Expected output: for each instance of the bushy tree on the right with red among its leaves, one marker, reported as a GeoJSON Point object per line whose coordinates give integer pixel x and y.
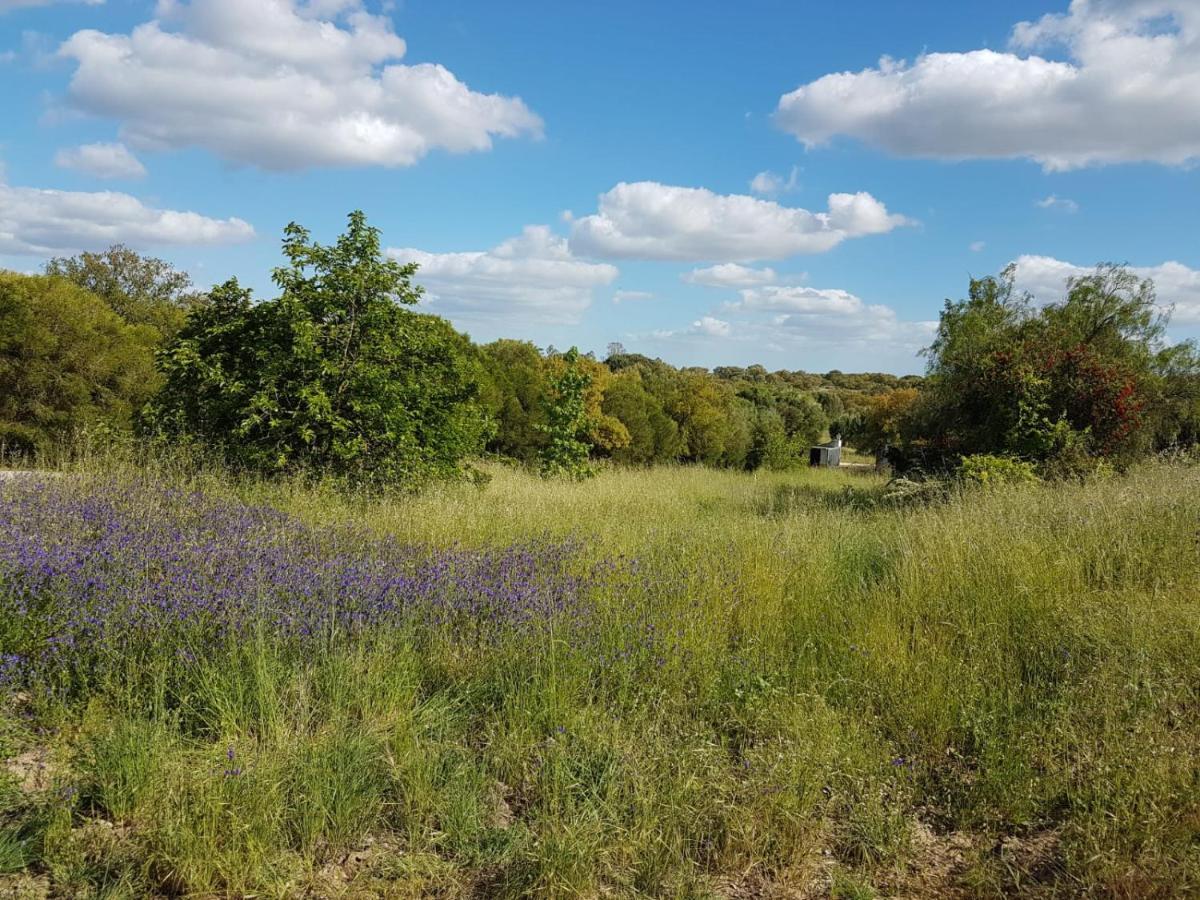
{"type": "Point", "coordinates": [1084, 379]}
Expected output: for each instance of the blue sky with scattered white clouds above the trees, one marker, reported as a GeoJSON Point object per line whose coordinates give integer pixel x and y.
{"type": "Point", "coordinates": [795, 184]}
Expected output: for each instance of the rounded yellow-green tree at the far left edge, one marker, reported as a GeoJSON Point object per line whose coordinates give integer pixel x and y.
{"type": "Point", "coordinates": [68, 364]}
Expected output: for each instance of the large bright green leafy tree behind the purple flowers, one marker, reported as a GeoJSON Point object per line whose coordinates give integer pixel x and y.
{"type": "Point", "coordinates": [334, 376]}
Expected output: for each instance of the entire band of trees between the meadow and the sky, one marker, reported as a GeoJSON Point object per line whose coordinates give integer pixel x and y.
{"type": "Point", "coordinates": [340, 376]}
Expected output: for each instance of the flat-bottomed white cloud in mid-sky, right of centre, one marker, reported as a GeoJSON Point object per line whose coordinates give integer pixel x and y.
{"type": "Point", "coordinates": [647, 220]}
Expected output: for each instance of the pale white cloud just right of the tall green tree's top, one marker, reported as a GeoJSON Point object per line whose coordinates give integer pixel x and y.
{"type": "Point", "coordinates": [530, 278]}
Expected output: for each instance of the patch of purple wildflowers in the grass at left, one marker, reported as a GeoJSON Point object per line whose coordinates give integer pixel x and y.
{"type": "Point", "coordinates": [91, 567]}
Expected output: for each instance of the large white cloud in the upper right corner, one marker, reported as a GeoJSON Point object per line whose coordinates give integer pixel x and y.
{"type": "Point", "coordinates": [1124, 94]}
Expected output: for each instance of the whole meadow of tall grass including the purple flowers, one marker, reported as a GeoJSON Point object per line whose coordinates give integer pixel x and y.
{"type": "Point", "coordinates": [667, 683]}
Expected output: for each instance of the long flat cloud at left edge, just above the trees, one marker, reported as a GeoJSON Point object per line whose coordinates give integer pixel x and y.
{"type": "Point", "coordinates": [41, 223]}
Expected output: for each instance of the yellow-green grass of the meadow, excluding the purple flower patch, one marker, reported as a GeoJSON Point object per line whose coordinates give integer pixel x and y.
{"type": "Point", "coordinates": [836, 691]}
